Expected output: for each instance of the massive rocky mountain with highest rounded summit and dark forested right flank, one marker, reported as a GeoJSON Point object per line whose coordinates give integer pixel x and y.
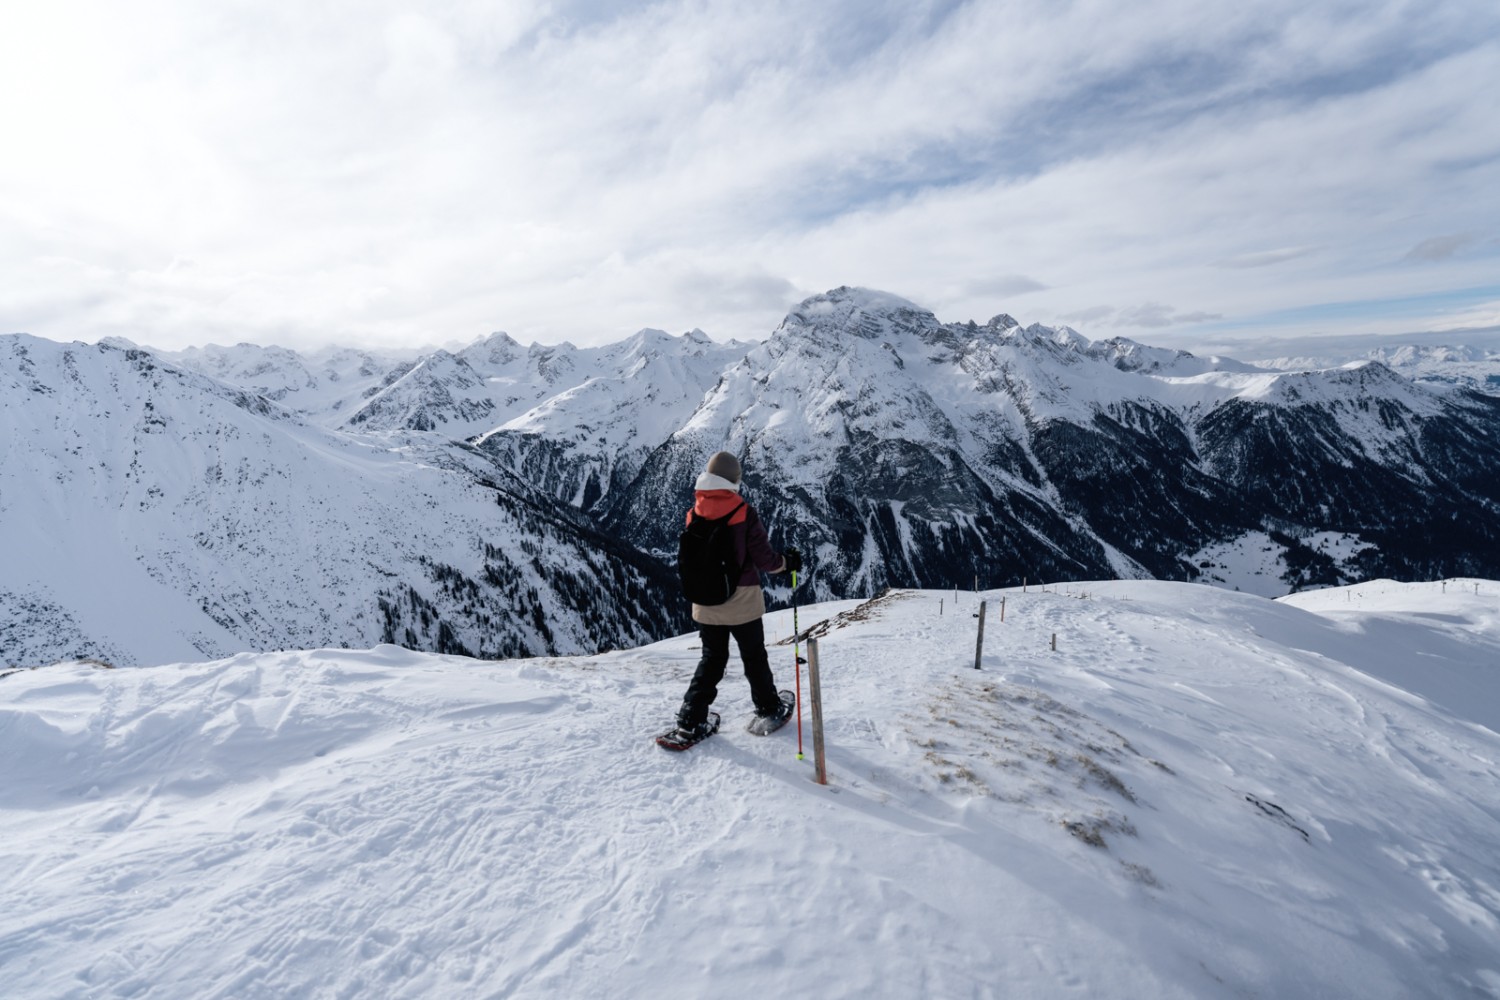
{"type": "Point", "coordinates": [898, 449]}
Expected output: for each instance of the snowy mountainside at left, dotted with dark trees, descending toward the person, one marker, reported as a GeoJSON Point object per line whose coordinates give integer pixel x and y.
{"type": "Point", "coordinates": [152, 513]}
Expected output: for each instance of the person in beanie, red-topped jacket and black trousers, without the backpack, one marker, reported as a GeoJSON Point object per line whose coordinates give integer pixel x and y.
{"type": "Point", "coordinates": [716, 496]}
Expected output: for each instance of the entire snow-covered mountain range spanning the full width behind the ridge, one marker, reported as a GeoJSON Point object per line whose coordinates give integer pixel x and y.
{"type": "Point", "coordinates": [503, 499]}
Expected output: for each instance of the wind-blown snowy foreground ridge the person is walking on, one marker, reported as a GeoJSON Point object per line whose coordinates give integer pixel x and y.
{"type": "Point", "coordinates": [1201, 794]}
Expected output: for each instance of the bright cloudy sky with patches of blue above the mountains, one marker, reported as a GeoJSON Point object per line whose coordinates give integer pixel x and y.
{"type": "Point", "coordinates": [313, 172]}
